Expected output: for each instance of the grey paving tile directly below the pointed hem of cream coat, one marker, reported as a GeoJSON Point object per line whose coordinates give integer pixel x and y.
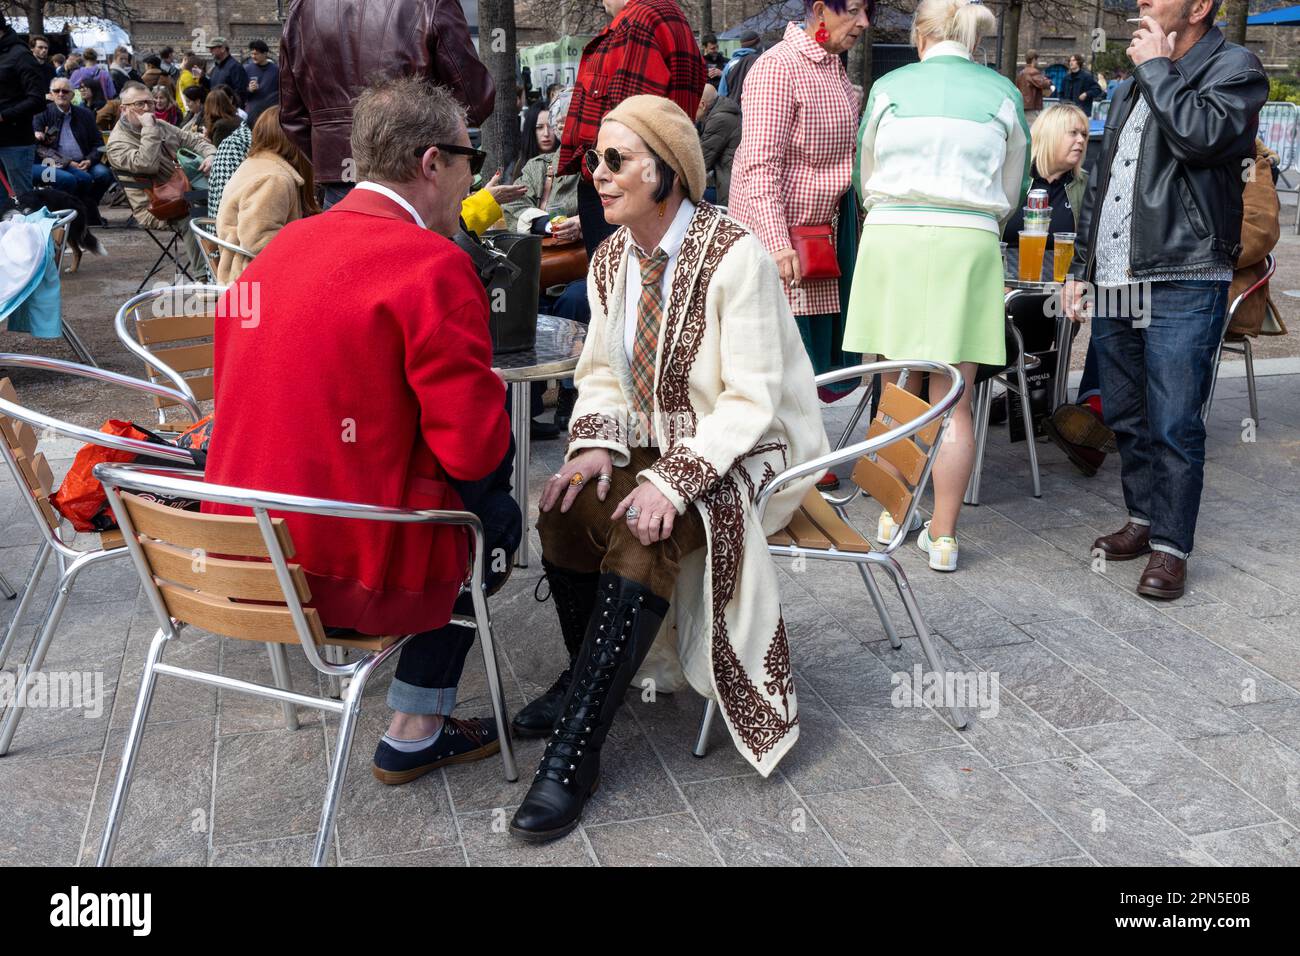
{"type": "Point", "coordinates": [757, 823]}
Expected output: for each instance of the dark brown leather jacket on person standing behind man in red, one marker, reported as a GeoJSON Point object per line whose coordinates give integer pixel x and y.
{"type": "Point", "coordinates": [332, 49]}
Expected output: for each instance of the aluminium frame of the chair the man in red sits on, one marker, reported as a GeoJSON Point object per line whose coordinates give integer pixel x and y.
{"type": "Point", "coordinates": [124, 478]}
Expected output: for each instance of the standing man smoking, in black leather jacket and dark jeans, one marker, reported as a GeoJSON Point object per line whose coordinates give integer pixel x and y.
{"type": "Point", "coordinates": [1159, 237]}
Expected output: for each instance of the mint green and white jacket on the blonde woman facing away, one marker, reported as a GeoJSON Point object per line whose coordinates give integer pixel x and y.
{"type": "Point", "coordinates": [943, 142]}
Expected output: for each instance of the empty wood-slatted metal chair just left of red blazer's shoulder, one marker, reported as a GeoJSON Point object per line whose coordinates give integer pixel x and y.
{"type": "Point", "coordinates": [171, 331]}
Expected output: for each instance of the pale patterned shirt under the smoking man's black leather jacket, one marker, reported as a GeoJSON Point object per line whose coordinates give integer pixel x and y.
{"type": "Point", "coordinates": [1113, 232]}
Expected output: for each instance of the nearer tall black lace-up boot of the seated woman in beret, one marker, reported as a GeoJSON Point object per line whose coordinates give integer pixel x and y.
{"type": "Point", "coordinates": [623, 628]}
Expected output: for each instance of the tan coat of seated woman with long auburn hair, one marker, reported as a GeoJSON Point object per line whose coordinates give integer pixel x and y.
{"type": "Point", "coordinates": [263, 197]}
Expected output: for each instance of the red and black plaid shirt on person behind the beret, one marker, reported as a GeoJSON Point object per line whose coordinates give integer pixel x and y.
{"type": "Point", "coordinates": [648, 49]}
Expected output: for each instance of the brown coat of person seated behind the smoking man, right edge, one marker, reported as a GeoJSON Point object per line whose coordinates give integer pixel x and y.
{"type": "Point", "coordinates": [1260, 232]}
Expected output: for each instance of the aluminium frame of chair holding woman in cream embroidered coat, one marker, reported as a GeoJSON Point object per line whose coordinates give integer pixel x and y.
{"type": "Point", "coordinates": [941, 412]}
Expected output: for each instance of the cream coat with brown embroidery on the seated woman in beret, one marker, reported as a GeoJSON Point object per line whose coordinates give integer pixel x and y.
{"type": "Point", "coordinates": [735, 406]}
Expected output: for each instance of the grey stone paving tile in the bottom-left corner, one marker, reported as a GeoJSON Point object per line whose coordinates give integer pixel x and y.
{"type": "Point", "coordinates": [46, 802]}
